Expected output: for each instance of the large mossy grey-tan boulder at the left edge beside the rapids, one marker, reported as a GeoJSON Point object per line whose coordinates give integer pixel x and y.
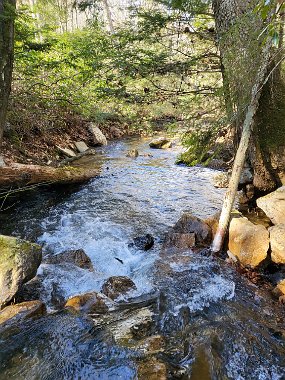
{"type": "Point", "coordinates": [19, 261]}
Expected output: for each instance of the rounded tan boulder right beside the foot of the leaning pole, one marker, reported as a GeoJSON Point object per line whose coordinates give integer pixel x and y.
{"type": "Point", "coordinates": [248, 242]}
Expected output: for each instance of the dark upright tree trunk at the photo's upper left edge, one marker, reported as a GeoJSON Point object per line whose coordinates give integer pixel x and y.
{"type": "Point", "coordinates": [7, 16]}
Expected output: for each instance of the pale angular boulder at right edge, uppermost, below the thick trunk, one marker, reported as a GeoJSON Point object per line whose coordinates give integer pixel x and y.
{"type": "Point", "coordinates": [273, 205]}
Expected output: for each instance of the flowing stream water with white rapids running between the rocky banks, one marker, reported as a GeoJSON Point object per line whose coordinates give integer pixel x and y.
{"type": "Point", "coordinates": [214, 324]}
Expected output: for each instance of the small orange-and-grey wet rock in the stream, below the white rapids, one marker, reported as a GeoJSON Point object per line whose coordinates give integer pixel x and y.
{"type": "Point", "coordinates": [92, 302]}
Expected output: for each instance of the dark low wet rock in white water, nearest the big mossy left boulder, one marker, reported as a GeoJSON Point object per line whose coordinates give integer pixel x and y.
{"type": "Point", "coordinates": [76, 257]}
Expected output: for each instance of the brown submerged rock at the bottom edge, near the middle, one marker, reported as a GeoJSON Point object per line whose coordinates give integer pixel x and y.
{"type": "Point", "coordinates": [152, 369]}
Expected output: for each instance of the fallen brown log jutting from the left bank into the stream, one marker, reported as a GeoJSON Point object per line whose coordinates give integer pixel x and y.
{"type": "Point", "coordinates": [21, 175]}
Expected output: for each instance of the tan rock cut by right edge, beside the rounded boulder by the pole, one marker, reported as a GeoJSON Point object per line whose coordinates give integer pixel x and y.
{"type": "Point", "coordinates": [277, 243]}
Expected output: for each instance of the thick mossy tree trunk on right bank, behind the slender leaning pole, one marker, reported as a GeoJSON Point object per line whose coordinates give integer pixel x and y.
{"type": "Point", "coordinates": [240, 36]}
